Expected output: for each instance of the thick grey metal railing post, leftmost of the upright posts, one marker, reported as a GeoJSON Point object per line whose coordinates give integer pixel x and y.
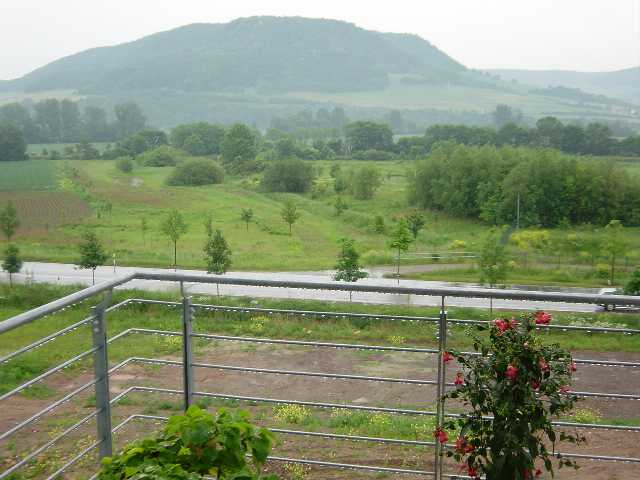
{"type": "Point", "coordinates": [101, 373]}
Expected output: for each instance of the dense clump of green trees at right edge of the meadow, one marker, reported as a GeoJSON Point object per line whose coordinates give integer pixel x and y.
{"type": "Point", "coordinates": [502, 185]}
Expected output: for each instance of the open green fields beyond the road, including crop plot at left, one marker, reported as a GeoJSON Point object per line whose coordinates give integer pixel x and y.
{"type": "Point", "coordinates": [56, 210]}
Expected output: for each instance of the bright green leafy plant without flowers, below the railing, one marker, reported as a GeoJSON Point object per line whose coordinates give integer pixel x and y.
{"type": "Point", "coordinates": [194, 445]}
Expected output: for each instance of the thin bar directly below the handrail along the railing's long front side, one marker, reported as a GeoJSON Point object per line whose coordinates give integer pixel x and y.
{"type": "Point", "coordinates": [409, 318]}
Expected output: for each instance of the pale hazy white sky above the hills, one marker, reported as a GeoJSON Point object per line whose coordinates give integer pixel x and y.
{"type": "Point", "coordinates": [587, 35]}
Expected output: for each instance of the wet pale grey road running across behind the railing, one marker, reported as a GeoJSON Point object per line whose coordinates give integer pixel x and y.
{"type": "Point", "coordinates": [66, 274]}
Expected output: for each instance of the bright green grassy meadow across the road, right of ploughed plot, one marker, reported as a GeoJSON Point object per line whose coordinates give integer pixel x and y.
{"type": "Point", "coordinates": [267, 246]}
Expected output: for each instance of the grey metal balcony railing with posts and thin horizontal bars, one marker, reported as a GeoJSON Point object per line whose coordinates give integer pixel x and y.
{"type": "Point", "coordinates": [102, 371]}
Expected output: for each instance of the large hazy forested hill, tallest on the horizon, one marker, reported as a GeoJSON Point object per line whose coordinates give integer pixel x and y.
{"type": "Point", "coordinates": [268, 54]}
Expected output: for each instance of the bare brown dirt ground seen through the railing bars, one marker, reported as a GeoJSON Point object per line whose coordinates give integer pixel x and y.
{"type": "Point", "coordinates": [338, 391]}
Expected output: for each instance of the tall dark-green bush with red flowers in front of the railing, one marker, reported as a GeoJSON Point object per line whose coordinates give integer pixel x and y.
{"type": "Point", "coordinates": [513, 389]}
